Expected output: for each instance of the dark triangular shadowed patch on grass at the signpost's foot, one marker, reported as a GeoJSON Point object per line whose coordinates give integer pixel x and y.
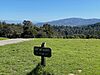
{"type": "Point", "coordinates": [39, 70]}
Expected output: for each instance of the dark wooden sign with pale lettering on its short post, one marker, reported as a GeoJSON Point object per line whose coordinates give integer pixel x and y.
{"type": "Point", "coordinates": [43, 52]}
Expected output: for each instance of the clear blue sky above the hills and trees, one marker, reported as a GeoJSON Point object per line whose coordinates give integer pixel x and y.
{"type": "Point", "coordinates": [48, 10]}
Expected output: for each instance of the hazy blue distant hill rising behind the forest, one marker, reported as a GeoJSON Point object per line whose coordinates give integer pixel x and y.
{"type": "Point", "coordinates": [72, 22]}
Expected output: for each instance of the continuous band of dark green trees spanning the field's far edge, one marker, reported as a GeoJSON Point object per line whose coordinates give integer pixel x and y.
{"type": "Point", "coordinates": [29, 30]}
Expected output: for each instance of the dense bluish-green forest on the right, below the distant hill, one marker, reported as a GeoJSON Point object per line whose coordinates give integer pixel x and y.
{"type": "Point", "coordinates": [90, 31]}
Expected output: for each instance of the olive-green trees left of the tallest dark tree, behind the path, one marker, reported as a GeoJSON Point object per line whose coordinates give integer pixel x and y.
{"type": "Point", "coordinates": [10, 30]}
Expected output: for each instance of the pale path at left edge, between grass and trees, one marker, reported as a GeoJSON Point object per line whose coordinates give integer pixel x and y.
{"type": "Point", "coordinates": [12, 41]}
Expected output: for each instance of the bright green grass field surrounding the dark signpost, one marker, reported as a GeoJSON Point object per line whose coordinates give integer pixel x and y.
{"type": "Point", "coordinates": [68, 56]}
